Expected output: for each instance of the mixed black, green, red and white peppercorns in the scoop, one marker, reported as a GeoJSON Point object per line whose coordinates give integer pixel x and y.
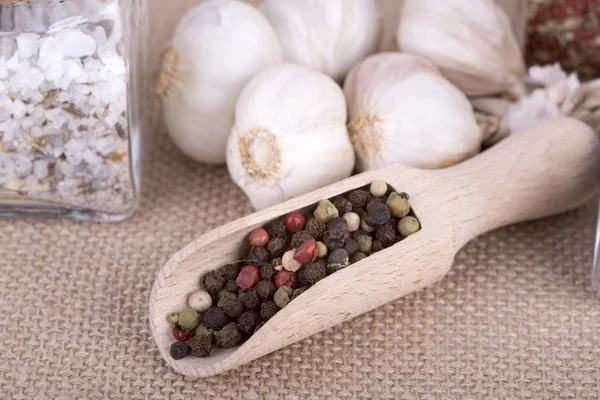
{"type": "Point", "coordinates": [286, 259]}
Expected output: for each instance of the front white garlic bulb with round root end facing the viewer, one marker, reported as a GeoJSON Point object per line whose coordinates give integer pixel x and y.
{"type": "Point", "coordinates": [289, 135]}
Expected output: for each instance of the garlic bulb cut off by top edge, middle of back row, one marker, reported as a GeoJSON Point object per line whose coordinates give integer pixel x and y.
{"type": "Point", "coordinates": [327, 36]}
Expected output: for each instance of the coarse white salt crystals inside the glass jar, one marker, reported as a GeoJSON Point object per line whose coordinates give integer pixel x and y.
{"type": "Point", "coordinates": [64, 133]}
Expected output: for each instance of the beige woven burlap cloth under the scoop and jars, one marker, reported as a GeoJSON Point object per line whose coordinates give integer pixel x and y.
{"type": "Point", "coordinates": [514, 319]}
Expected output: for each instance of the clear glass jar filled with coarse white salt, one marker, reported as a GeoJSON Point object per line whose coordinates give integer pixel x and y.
{"type": "Point", "coordinates": [70, 92]}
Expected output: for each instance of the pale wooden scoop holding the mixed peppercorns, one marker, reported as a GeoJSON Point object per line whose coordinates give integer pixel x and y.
{"type": "Point", "coordinates": [549, 169]}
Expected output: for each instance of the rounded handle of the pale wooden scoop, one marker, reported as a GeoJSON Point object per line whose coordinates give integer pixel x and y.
{"type": "Point", "coordinates": [550, 168]}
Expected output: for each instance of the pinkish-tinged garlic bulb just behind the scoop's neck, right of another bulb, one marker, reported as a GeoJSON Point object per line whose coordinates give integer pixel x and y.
{"type": "Point", "coordinates": [403, 110]}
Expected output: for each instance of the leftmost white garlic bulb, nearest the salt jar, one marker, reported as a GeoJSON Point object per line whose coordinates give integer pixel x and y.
{"type": "Point", "coordinates": [217, 48]}
